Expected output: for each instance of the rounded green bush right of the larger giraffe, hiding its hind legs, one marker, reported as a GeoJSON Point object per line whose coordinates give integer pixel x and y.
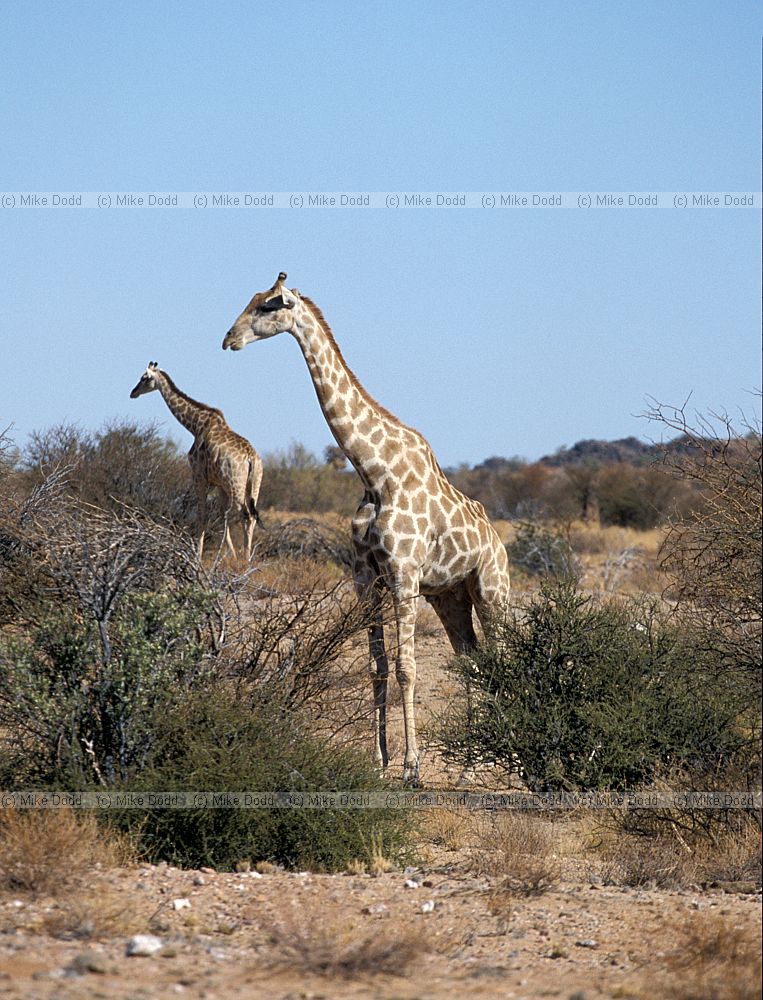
{"type": "Point", "coordinates": [584, 695]}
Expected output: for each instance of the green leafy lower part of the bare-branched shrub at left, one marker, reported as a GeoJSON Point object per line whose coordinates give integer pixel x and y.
{"type": "Point", "coordinates": [69, 714]}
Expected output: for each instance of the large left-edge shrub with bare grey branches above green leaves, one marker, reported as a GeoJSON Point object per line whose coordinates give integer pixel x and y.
{"type": "Point", "coordinates": [112, 617]}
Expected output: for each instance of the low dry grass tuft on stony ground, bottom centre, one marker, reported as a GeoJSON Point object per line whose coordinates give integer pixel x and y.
{"type": "Point", "coordinates": [309, 943]}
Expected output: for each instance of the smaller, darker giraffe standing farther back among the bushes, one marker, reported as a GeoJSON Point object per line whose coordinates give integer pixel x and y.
{"type": "Point", "coordinates": [218, 457]}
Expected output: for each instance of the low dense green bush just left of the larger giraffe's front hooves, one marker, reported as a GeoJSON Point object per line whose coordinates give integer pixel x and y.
{"type": "Point", "coordinates": [217, 740]}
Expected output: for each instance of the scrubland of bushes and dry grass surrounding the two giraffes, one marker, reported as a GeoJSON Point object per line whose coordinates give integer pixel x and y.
{"type": "Point", "coordinates": [631, 658]}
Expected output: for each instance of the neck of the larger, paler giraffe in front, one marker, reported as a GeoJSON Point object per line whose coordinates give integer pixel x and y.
{"type": "Point", "coordinates": [360, 425]}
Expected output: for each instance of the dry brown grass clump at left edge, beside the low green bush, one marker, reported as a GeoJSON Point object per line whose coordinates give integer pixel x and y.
{"type": "Point", "coordinates": [49, 851]}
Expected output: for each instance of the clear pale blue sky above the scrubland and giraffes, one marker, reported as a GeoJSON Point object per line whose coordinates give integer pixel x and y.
{"type": "Point", "coordinates": [492, 332]}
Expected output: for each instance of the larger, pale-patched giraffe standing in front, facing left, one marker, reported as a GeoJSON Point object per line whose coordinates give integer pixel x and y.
{"type": "Point", "coordinates": [414, 532]}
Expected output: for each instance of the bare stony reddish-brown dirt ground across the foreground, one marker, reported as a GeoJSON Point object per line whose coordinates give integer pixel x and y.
{"type": "Point", "coordinates": [306, 935]}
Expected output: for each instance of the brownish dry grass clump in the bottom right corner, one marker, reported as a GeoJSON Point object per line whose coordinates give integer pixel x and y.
{"type": "Point", "coordinates": [714, 960]}
